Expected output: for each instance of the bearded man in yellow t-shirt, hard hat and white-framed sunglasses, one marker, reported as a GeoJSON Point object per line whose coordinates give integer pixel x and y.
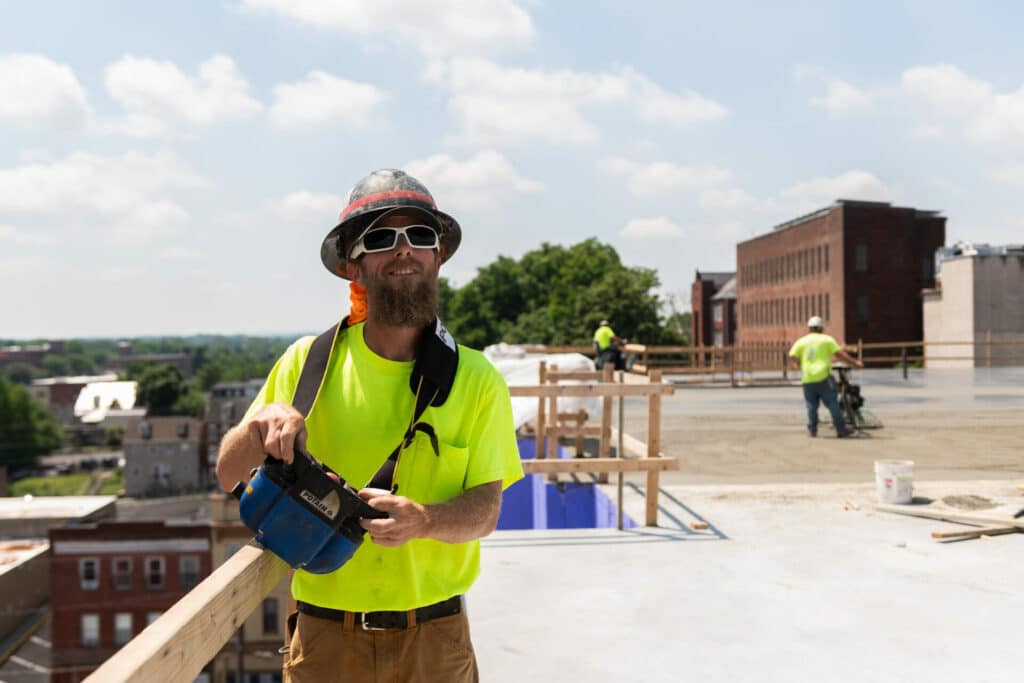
{"type": "Point", "coordinates": [396, 611]}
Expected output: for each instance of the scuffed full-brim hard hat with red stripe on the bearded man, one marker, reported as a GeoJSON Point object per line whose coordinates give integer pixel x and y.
{"type": "Point", "coordinates": [380, 194]}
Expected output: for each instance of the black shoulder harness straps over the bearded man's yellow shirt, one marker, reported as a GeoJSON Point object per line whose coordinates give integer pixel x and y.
{"type": "Point", "coordinates": [432, 381]}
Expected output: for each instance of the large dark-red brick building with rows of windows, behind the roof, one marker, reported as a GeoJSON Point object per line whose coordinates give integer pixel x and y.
{"type": "Point", "coordinates": [861, 266]}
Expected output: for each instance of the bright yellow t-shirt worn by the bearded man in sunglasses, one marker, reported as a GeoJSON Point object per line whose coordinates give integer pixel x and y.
{"type": "Point", "coordinates": [361, 415]}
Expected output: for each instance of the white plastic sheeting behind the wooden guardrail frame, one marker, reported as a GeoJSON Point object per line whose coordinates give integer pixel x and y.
{"type": "Point", "coordinates": [523, 369]}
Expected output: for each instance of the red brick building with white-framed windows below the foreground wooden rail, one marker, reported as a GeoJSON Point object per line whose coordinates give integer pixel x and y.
{"type": "Point", "coordinates": [109, 581]}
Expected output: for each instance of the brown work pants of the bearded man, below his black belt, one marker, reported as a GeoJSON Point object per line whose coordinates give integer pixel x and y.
{"type": "Point", "coordinates": [327, 652]}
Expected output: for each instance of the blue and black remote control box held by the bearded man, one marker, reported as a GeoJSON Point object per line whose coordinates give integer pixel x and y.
{"type": "Point", "coordinates": [306, 518]}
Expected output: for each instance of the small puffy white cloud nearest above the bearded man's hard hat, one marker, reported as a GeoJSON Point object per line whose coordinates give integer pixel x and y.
{"type": "Point", "coordinates": [322, 99]}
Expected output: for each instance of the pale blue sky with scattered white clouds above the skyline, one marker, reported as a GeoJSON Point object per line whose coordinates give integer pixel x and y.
{"type": "Point", "coordinates": [173, 167]}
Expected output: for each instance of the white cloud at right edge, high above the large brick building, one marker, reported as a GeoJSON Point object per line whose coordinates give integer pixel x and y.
{"type": "Point", "coordinates": [986, 115]}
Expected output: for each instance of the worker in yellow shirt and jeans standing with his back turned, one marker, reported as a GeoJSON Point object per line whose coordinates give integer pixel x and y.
{"type": "Point", "coordinates": [815, 352]}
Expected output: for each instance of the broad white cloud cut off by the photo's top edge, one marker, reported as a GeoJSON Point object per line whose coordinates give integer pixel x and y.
{"type": "Point", "coordinates": [436, 29]}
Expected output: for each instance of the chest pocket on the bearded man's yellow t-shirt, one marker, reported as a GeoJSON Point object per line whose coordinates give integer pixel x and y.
{"type": "Point", "coordinates": [426, 477]}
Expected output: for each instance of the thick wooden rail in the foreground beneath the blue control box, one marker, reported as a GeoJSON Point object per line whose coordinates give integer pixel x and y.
{"type": "Point", "coordinates": [178, 646]}
